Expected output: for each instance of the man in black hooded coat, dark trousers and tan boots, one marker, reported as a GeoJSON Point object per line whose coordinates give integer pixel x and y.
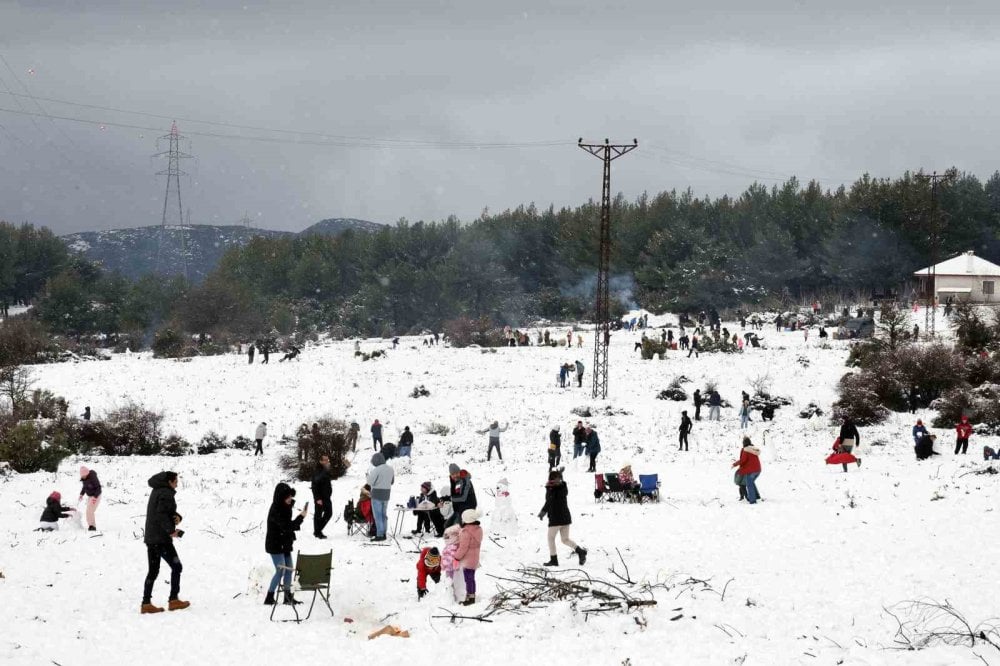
{"type": "Point", "coordinates": [161, 529]}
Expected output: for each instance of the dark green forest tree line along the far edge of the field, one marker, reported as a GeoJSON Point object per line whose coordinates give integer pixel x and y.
{"type": "Point", "coordinates": [671, 251]}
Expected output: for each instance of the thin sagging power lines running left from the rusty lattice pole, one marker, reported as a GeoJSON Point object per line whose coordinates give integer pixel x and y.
{"type": "Point", "coordinates": [329, 138]}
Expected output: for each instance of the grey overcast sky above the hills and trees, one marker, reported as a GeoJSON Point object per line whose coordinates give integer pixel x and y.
{"type": "Point", "coordinates": [372, 96]}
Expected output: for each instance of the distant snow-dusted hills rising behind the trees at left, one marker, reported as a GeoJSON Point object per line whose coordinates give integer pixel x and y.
{"type": "Point", "coordinates": [195, 249]}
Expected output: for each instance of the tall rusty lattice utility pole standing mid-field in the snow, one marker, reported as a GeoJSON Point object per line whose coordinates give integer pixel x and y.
{"type": "Point", "coordinates": [607, 152]}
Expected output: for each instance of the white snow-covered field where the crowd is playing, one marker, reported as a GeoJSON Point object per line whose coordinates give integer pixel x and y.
{"type": "Point", "coordinates": [806, 573]}
